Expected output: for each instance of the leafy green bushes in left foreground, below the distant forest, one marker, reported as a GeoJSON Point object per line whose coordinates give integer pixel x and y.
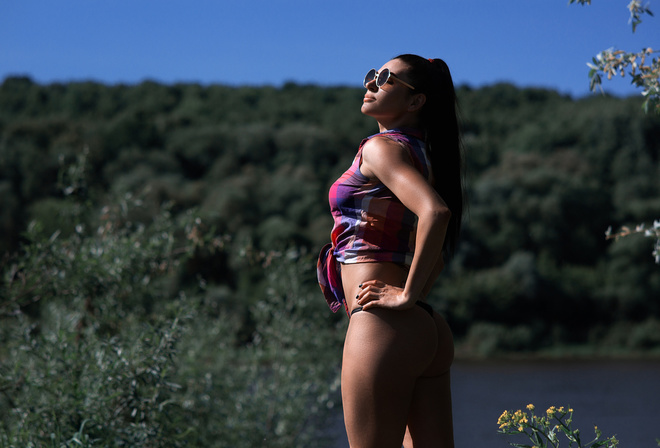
{"type": "Point", "coordinates": [102, 344]}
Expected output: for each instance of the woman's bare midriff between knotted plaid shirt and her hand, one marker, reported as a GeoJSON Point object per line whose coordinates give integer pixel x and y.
{"type": "Point", "coordinates": [352, 275]}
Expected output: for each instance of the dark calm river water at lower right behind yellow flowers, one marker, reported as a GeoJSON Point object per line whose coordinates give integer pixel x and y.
{"type": "Point", "coordinates": [622, 398]}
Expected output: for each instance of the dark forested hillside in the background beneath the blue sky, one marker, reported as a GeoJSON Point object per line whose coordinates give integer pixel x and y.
{"type": "Point", "coordinates": [546, 176]}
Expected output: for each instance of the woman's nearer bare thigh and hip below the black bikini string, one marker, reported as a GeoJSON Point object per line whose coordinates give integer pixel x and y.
{"type": "Point", "coordinates": [384, 353]}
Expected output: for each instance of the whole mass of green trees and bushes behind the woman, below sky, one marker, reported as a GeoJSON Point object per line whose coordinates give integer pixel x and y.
{"type": "Point", "coordinates": [159, 245]}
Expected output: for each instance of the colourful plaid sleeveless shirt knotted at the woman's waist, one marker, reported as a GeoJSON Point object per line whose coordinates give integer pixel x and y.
{"type": "Point", "coordinates": [370, 223]}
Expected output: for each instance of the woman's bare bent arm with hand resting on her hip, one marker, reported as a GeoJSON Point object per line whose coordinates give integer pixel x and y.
{"type": "Point", "coordinates": [390, 163]}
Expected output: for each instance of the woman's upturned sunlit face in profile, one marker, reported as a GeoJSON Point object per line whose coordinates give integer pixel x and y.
{"type": "Point", "coordinates": [391, 101]}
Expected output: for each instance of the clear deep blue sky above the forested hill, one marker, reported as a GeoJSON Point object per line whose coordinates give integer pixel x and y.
{"type": "Point", "coordinates": [543, 43]}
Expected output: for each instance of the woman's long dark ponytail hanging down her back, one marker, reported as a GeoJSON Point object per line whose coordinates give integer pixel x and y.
{"type": "Point", "coordinates": [439, 120]}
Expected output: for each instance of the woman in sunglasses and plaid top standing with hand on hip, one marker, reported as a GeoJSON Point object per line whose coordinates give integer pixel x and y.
{"type": "Point", "coordinates": [396, 210]}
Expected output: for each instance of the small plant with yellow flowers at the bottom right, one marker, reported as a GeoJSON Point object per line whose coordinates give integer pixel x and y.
{"type": "Point", "coordinates": [544, 430]}
